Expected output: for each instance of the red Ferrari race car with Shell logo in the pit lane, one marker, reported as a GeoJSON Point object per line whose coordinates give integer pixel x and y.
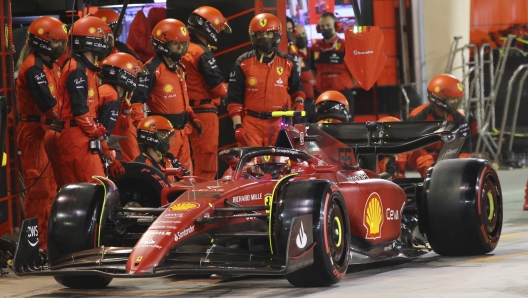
{"type": "Point", "coordinates": [303, 209]}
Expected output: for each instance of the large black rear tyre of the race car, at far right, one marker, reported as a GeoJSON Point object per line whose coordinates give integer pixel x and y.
{"type": "Point", "coordinates": [463, 207]}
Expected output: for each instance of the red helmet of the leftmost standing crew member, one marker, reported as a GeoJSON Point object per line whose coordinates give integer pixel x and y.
{"type": "Point", "coordinates": [43, 32]}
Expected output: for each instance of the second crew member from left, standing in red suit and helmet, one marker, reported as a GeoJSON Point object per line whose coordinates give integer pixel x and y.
{"type": "Point", "coordinates": [82, 142]}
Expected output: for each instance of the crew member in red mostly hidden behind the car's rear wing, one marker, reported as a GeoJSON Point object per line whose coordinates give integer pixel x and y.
{"type": "Point", "coordinates": [445, 93]}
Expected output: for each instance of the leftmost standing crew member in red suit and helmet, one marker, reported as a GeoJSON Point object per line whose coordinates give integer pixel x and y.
{"type": "Point", "coordinates": [37, 98]}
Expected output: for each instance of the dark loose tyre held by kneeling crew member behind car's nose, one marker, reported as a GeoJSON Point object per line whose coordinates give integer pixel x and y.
{"type": "Point", "coordinates": [140, 186]}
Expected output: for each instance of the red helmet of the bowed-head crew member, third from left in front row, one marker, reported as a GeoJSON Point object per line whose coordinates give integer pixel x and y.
{"type": "Point", "coordinates": [121, 68]}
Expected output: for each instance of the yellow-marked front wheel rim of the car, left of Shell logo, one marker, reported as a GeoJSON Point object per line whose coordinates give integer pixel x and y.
{"type": "Point", "coordinates": [335, 227]}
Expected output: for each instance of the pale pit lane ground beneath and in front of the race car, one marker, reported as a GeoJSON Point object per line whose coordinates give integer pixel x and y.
{"type": "Point", "coordinates": [504, 273]}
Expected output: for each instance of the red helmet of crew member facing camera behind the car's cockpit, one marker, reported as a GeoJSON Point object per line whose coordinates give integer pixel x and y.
{"type": "Point", "coordinates": [265, 22]}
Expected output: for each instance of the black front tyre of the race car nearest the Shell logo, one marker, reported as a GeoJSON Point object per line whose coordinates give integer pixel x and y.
{"type": "Point", "coordinates": [331, 230]}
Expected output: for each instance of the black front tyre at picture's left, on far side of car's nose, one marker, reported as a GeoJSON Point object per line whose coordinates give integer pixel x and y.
{"type": "Point", "coordinates": [73, 227]}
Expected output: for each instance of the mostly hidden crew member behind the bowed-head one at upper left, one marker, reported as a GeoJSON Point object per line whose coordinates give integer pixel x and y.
{"type": "Point", "coordinates": [124, 127]}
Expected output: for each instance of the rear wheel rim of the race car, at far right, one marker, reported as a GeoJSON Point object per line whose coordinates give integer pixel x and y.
{"type": "Point", "coordinates": [490, 206]}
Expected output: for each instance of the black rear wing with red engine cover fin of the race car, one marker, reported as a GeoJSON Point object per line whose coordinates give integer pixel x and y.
{"type": "Point", "coordinates": [342, 143]}
